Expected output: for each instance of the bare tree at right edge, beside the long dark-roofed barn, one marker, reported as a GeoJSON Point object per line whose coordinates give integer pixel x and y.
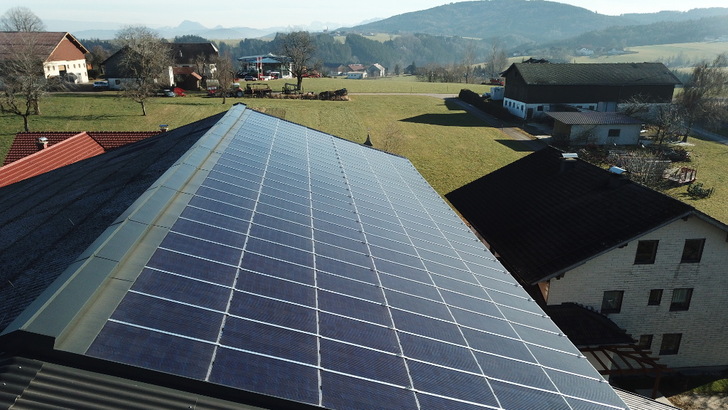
{"type": "Point", "coordinates": [703, 97]}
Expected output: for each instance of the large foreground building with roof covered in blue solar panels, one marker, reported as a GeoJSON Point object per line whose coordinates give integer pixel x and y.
{"type": "Point", "coordinates": [243, 261]}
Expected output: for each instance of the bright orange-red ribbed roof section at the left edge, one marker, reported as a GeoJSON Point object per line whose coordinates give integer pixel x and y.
{"type": "Point", "coordinates": [68, 151]}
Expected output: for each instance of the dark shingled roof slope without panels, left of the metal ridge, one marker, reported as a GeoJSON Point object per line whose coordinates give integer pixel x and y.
{"type": "Point", "coordinates": [51, 218]}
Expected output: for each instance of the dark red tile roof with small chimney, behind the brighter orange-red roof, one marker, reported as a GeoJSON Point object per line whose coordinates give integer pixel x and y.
{"type": "Point", "coordinates": [26, 143]}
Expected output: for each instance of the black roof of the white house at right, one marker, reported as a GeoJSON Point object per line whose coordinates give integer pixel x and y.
{"type": "Point", "coordinates": [543, 218]}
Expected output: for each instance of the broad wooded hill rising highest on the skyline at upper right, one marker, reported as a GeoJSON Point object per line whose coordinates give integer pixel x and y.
{"type": "Point", "coordinates": [518, 21]}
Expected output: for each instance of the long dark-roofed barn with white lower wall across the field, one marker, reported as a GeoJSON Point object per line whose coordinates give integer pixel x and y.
{"type": "Point", "coordinates": [533, 89]}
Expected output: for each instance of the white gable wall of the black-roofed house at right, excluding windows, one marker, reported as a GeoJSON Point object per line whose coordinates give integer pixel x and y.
{"type": "Point", "coordinates": [703, 326]}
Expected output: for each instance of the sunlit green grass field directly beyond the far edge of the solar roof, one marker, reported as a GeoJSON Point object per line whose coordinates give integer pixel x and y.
{"type": "Point", "coordinates": [448, 146]}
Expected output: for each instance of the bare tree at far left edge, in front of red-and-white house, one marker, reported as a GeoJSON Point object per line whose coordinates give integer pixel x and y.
{"type": "Point", "coordinates": [22, 78]}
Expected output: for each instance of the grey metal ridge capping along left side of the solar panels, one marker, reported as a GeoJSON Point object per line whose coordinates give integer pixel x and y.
{"type": "Point", "coordinates": [97, 276]}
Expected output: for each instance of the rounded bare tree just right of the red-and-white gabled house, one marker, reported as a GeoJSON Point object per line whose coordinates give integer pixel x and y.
{"type": "Point", "coordinates": [146, 59]}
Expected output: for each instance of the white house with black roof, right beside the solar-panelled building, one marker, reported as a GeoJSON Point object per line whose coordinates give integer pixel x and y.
{"type": "Point", "coordinates": [575, 233]}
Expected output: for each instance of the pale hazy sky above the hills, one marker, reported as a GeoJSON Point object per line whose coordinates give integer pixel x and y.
{"type": "Point", "coordinates": [287, 13]}
